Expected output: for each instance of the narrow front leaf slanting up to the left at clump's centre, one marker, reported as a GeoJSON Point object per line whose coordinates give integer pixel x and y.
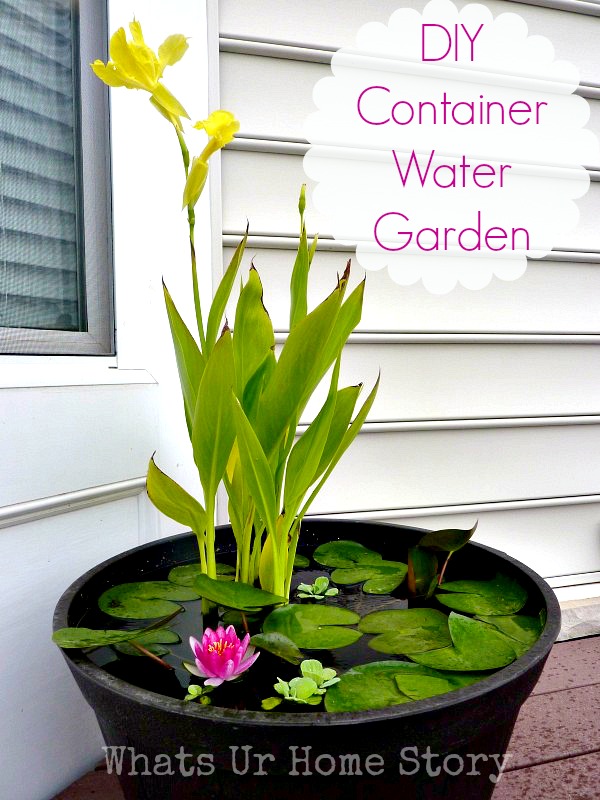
{"type": "Point", "coordinates": [257, 471]}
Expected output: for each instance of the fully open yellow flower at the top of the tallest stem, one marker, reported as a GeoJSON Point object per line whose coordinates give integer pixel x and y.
{"type": "Point", "coordinates": [136, 66]}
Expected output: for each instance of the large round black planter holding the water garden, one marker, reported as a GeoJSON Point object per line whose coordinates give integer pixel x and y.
{"type": "Point", "coordinates": [445, 747]}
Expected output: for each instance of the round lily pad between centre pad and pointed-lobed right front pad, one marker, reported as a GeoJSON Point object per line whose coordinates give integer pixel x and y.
{"type": "Point", "coordinates": [411, 630]}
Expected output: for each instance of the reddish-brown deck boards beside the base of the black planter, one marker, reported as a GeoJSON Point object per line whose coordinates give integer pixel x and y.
{"type": "Point", "coordinates": [555, 745]}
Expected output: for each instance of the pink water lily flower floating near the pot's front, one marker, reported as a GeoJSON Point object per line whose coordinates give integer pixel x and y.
{"type": "Point", "coordinates": [221, 656]}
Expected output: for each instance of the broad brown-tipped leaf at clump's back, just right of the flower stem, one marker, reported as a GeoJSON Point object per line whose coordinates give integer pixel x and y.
{"type": "Point", "coordinates": [253, 337]}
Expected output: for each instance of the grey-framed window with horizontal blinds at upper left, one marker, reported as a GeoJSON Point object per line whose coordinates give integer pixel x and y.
{"type": "Point", "coordinates": [55, 288]}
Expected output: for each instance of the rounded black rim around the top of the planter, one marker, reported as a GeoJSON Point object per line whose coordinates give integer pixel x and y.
{"type": "Point", "coordinates": [79, 662]}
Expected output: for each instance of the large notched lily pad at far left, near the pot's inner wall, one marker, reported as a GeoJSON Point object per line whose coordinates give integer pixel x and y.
{"type": "Point", "coordinates": [144, 600]}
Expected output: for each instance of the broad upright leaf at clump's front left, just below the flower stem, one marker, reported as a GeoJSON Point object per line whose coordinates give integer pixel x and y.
{"type": "Point", "coordinates": [213, 431]}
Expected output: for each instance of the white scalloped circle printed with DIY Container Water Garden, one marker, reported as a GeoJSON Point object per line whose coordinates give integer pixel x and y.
{"type": "Point", "coordinates": [448, 146]}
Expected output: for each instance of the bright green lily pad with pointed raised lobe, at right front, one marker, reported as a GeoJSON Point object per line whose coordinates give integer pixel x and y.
{"type": "Point", "coordinates": [476, 646]}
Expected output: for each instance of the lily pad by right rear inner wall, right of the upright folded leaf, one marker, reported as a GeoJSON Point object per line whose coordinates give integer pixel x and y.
{"type": "Point", "coordinates": [498, 597]}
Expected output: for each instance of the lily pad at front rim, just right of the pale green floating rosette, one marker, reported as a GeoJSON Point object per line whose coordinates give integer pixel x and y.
{"type": "Point", "coordinates": [366, 687]}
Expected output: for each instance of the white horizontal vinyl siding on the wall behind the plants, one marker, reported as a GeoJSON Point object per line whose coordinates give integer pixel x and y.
{"type": "Point", "coordinates": [489, 405]}
